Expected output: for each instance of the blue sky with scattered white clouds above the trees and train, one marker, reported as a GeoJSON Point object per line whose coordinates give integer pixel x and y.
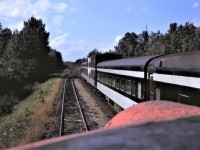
{"type": "Point", "coordinates": [79, 26]}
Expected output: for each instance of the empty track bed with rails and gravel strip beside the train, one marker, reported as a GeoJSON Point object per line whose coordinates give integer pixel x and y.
{"type": "Point", "coordinates": [82, 110]}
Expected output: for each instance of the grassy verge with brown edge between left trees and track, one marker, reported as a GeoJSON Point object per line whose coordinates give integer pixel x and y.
{"type": "Point", "coordinates": [27, 121]}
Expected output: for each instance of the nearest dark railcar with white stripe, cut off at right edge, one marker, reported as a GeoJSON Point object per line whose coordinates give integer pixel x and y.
{"type": "Point", "coordinates": [175, 77]}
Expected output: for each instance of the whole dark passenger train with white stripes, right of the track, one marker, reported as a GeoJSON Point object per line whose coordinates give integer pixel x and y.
{"type": "Point", "coordinates": [125, 82]}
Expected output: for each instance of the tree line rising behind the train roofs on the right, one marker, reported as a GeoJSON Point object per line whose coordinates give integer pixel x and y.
{"type": "Point", "coordinates": [179, 38]}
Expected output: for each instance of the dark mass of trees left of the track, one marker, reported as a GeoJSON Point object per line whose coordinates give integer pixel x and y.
{"type": "Point", "coordinates": [26, 57]}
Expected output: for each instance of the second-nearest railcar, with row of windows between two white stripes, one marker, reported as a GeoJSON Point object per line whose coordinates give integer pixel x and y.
{"type": "Point", "coordinates": [124, 80]}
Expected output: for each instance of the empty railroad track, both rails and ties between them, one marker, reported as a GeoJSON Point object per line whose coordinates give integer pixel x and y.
{"type": "Point", "coordinates": [72, 116]}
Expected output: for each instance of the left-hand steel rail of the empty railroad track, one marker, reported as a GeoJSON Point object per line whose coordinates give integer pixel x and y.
{"type": "Point", "coordinates": [62, 110]}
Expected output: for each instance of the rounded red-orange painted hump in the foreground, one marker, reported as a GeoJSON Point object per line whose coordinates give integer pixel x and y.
{"type": "Point", "coordinates": [153, 111]}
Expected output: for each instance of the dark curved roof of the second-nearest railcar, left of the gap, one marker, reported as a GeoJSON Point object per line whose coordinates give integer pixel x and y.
{"type": "Point", "coordinates": [127, 62]}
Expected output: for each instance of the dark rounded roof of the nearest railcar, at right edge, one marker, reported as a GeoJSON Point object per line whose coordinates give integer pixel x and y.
{"type": "Point", "coordinates": [189, 61]}
